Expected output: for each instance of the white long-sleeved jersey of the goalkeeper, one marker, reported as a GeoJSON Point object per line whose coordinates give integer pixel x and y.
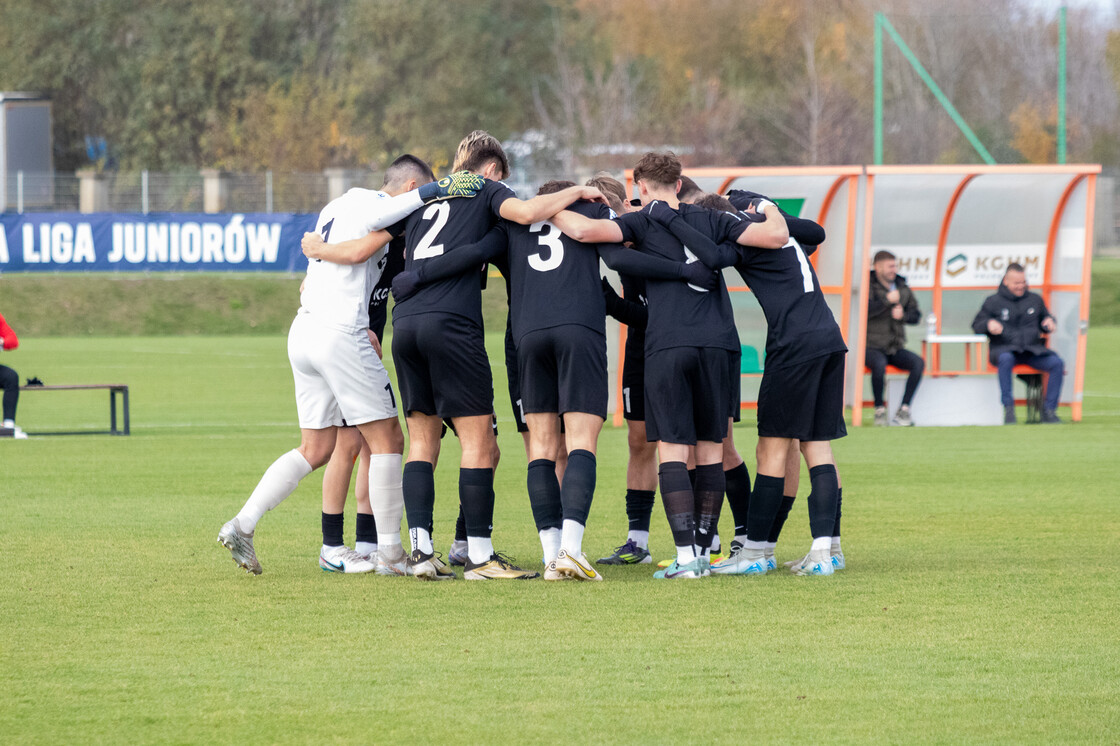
{"type": "Point", "coordinates": [339, 295]}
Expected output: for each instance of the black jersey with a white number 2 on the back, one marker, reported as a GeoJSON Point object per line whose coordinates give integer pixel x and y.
{"type": "Point", "coordinates": [442, 228]}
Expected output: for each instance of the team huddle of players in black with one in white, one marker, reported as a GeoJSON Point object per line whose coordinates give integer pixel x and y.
{"type": "Point", "coordinates": [432, 244]}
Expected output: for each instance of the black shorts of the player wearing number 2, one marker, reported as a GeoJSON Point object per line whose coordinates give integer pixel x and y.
{"type": "Point", "coordinates": [442, 366]}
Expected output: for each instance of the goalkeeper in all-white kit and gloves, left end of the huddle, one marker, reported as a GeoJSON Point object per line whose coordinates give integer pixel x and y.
{"type": "Point", "coordinates": [339, 375]}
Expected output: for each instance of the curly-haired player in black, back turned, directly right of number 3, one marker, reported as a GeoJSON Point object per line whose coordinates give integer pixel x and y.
{"type": "Point", "coordinates": [690, 340]}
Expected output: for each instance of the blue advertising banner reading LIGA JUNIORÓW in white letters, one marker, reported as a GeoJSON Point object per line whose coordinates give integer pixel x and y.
{"type": "Point", "coordinates": [127, 243]}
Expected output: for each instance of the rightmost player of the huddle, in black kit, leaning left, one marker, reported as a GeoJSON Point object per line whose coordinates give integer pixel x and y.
{"type": "Point", "coordinates": [801, 397]}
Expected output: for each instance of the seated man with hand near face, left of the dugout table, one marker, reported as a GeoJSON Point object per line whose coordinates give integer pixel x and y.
{"type": "Point", "coordinates": [890, 307]}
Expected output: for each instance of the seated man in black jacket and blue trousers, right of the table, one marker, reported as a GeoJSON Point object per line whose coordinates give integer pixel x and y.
{"type": "Point", "coordinates": [1015, 320]}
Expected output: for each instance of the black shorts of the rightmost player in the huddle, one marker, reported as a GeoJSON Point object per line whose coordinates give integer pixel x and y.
{"type": "Point", "coordinates": [804, 402]}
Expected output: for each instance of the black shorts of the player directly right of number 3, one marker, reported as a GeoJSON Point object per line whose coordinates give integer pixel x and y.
{"type": "Point", "coordinates": [687, 395]}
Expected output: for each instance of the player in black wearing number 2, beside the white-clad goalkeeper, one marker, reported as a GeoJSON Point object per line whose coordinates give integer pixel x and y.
{"type": "Point", "coordinates": [442, 363]}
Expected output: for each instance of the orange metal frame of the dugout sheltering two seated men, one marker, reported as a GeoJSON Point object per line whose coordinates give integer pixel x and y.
{"type": "Point", "coordinates": [968, 174]}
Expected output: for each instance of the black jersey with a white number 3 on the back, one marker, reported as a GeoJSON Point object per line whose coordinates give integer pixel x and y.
{"type": "Point", "coordinates": [555, 279]}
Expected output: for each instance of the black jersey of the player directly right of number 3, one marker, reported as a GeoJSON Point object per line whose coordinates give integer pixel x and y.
{"type": "Point", "coordinates": [682, 316]}
